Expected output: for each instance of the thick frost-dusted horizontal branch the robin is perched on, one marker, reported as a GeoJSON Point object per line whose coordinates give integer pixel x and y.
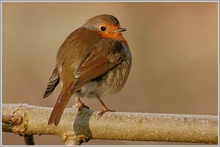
{"type": "Point", "coordinates": [77, 127]}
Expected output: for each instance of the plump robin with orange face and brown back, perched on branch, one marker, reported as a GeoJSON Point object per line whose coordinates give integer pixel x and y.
{"type": "Point", "coordinates": [93, 61]}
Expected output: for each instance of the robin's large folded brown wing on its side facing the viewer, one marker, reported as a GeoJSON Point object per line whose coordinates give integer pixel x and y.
{"type": "Point", "coordinates": [93, 66]}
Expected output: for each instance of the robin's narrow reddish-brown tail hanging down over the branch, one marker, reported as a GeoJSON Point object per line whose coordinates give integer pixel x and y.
{"type": "Point", "coordinates": [59, 107]}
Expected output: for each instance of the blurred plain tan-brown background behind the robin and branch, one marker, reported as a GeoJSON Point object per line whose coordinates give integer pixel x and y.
{"type": "Point", "coordinates": [174, 48]}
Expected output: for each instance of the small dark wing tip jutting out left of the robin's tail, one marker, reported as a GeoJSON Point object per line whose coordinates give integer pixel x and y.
{"type": "Point", "coordinates": [53, 82]}
